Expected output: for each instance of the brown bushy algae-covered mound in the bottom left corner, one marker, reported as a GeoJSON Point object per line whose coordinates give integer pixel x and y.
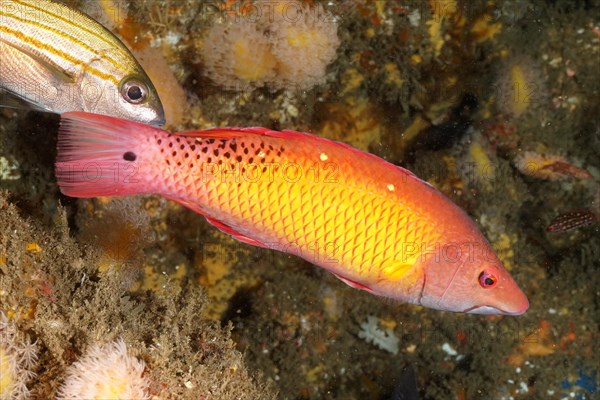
{"type": "Point", "coordinates": [88, 307]}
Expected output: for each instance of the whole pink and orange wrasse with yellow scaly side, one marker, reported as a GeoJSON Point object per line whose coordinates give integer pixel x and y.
{"type": "Point", "coordinates": [374, 225]}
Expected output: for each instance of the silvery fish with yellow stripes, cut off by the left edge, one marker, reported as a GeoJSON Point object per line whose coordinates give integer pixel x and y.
{"type": "Point", "coordinates": [55, 58]}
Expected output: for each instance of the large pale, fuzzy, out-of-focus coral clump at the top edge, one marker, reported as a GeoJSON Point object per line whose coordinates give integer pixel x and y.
{"type": "Point", "coordinates": [278, 46]}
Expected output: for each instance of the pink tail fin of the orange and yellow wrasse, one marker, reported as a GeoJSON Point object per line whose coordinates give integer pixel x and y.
{"type": "Point", "coordinates": [97, 155]}
